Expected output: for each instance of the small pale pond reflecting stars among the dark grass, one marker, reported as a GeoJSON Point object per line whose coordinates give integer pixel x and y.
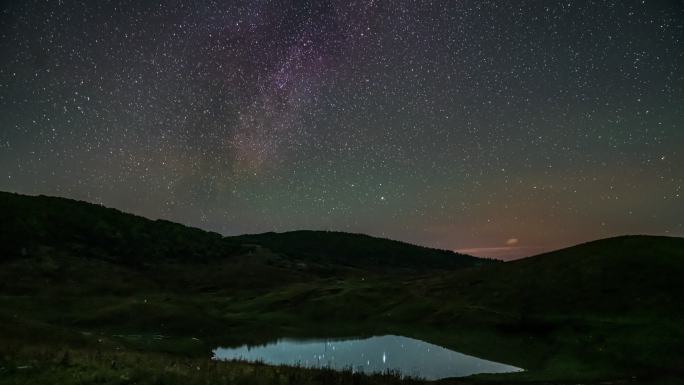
{"type": "Point", "coordinates": [406, 356]}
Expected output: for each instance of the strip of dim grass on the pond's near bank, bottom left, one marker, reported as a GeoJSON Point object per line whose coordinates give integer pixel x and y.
{"type": "Point", "coordinates": [72, 367]}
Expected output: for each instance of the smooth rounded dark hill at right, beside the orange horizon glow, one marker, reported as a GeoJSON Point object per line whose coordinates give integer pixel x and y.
{"type": "Point", "coordinates": [635, 274]}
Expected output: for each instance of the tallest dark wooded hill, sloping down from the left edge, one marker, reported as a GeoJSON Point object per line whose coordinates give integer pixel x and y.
{"type": "Point", "coordinates": [48, 225]}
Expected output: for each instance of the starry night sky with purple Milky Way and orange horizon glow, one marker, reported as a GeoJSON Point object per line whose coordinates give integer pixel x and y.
{"type": "Point", "coordinates": [497, 128]}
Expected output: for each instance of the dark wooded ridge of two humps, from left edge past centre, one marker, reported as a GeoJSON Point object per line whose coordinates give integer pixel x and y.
{"type": "Point", "coordinates": [44, 225]}
